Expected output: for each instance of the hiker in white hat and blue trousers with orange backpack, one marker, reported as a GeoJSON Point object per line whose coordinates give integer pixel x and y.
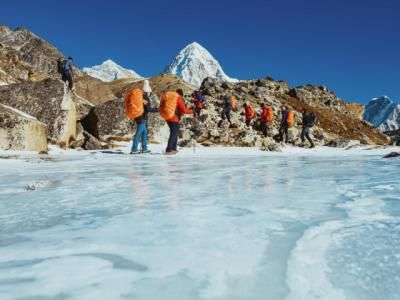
{"type": "Point", "coordinates": [138, 105]}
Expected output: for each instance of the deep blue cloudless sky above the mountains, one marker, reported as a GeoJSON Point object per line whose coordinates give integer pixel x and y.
{"type": "Point", "coordinates": [353, 47]}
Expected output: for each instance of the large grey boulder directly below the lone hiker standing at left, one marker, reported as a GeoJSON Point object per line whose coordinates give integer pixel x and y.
{"type": "Point", "coordinates": [50, 102]}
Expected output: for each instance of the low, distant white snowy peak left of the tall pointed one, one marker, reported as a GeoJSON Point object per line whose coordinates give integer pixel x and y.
{"type": "Point", "coordinates": [109, 71]}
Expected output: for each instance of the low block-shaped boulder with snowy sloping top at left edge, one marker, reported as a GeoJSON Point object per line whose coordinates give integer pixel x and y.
{"type": "Point", "coordinates": [19, 131]}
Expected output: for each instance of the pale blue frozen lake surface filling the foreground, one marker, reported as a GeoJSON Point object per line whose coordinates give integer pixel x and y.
{"type": "Point", "coordinates": [103, 226]}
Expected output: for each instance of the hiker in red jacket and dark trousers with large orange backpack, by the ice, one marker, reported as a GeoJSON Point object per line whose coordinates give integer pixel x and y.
{"type": "Point", "coordinates": [172, 107]}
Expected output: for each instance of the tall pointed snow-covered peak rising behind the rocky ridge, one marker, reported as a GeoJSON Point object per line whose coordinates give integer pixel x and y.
{"type": "Point", "coordinates": [194, 63]}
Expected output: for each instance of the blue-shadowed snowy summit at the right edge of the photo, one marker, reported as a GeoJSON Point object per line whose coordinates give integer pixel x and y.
{"type": "Point", "coordinates": [383, 113]}
